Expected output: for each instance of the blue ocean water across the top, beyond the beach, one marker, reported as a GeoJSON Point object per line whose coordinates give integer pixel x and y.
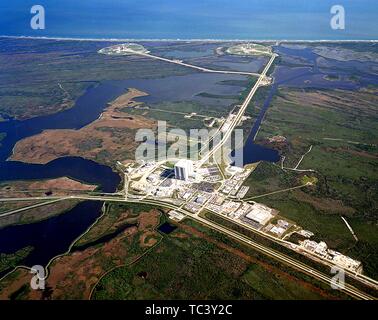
{"type": "Point", "coordinates": [194, 19]}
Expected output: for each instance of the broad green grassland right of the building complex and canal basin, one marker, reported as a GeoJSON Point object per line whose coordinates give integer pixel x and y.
{"type": "Point", "coordinates": [345, 169]}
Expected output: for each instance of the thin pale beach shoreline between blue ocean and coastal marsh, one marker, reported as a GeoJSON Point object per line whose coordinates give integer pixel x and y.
{"type": "Point", "coordinates": [182, 40]}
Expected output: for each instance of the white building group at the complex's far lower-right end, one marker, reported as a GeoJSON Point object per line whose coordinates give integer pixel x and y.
{"type": "Point", "coordinates": [321, 249]}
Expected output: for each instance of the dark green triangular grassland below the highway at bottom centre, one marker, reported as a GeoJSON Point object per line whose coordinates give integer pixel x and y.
{"type": "Point", "coordinates": [188, 266]}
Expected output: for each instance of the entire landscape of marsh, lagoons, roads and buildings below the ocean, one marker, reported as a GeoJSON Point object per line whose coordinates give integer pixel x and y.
{"type": "Point", "coordinates": [108, 185]}
